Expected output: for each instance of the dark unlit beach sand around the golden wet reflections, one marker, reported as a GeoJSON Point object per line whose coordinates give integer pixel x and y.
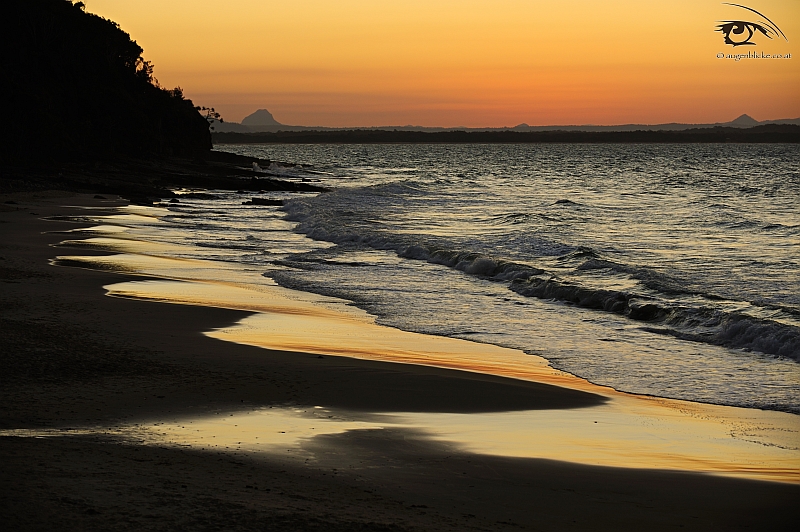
{"type": "Point", "coordinates": [71, 357]}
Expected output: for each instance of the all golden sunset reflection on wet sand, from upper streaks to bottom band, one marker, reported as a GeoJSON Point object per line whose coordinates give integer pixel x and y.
{"type": "Point", "coordinates": [622, 431]}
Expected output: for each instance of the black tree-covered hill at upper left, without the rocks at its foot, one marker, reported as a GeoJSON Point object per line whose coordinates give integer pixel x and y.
{"type": "Point", "coordinates": [77, 87]}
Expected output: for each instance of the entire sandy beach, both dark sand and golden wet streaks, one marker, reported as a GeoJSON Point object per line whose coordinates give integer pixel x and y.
{"type": "Point", "coordinates": [200, 394]}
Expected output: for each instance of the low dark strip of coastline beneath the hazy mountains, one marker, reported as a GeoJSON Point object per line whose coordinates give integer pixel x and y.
{"type": "Point", "coordinates": [769, 133]}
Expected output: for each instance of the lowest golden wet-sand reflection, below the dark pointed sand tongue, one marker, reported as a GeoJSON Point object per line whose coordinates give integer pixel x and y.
{"type": "Point", "coordinates": [616, 434]}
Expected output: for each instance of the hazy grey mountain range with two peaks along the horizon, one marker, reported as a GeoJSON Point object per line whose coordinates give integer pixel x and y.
{"type": "Point", "coordinates": [262, 121]}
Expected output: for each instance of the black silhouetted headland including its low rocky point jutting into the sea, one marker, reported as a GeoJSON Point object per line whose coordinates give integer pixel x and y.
{"type": "Point", "coordinates": [84, 112]}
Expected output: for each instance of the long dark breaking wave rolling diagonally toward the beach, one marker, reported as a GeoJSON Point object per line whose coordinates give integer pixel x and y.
{"type": "Point", "coordinates": [345, 225]}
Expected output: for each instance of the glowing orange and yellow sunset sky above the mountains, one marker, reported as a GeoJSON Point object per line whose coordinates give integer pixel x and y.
{"type": "Point", "coordinates": [473, 63]}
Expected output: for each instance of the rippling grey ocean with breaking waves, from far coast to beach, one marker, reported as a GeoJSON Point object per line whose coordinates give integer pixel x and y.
{"type": "Point", "coordinates": [665, 270]}
